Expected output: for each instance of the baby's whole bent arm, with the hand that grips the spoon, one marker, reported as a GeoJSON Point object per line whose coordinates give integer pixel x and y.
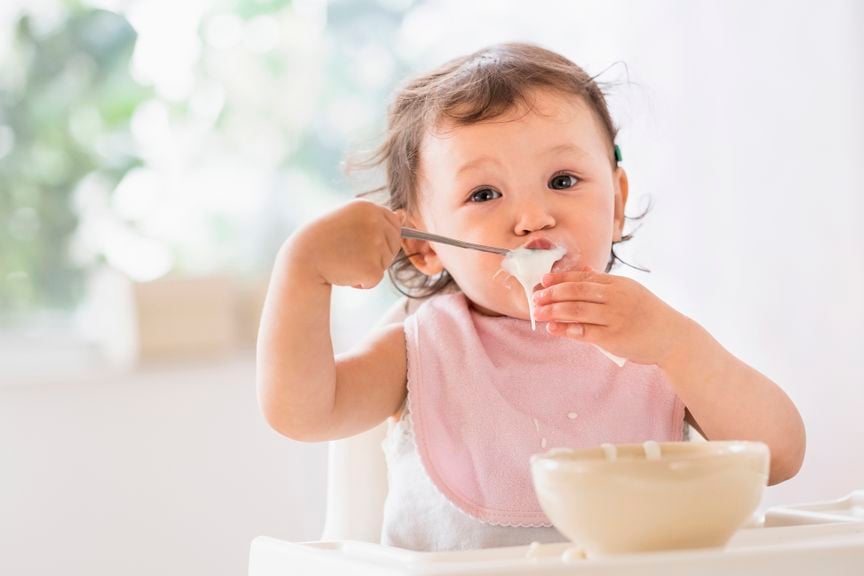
{"type": "Point", "coordinates": [304, 391]}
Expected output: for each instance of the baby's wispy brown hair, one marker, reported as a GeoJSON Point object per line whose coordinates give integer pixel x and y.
{"type": "Point", "coordinates": [473, 88]}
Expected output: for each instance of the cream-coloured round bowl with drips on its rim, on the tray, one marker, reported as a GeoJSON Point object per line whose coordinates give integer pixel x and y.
{"type": "Point", "coordinates": [630, 498]}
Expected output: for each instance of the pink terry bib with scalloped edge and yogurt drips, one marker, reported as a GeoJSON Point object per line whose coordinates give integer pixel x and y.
{"type": "Point", "coordinates": [485, 393]}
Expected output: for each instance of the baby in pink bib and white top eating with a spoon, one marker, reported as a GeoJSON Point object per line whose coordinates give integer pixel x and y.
{"type": "Point", "coordinates": [512, 146]}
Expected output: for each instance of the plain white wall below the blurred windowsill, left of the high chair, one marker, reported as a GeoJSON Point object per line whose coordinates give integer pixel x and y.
{"type": "Point", "coordinates": [169, 470]}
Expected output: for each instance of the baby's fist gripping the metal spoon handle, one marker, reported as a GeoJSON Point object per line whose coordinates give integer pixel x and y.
{"type": "Point", "coordinates": [351, 246]}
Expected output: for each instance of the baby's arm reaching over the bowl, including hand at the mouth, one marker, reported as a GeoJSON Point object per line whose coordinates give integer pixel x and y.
{"type": "Point", "coordinates": [726, 399]}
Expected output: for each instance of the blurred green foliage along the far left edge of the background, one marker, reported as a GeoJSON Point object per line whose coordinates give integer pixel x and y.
{"type": "Point", "coordinates": [65, 108]}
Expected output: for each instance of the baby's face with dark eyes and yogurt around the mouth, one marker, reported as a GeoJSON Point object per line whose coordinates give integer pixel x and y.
{"type": "Point", "coordinates": [544, 174]}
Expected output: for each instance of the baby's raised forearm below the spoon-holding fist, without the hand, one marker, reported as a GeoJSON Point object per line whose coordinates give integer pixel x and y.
{"type": "Point", "coordinates": [296, 370]}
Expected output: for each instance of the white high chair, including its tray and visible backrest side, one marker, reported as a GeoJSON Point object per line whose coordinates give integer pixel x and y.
{"type": "Point", "coordinates": [817, 538]}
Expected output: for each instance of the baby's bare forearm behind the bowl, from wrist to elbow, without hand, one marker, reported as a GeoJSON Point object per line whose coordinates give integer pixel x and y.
{"type": "Point", "coordinates": [731, 400]}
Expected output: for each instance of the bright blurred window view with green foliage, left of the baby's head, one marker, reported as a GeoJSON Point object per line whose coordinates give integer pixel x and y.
{"type": "Point", "coordinates": [186, 137]}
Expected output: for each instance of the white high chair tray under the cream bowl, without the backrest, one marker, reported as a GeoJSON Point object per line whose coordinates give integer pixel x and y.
{"type": "Point", "coordinates": [817, 538]}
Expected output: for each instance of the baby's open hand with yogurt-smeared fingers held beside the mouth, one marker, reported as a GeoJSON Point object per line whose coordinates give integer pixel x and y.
{"type": "Point", "coordinates": [616, 313]}
